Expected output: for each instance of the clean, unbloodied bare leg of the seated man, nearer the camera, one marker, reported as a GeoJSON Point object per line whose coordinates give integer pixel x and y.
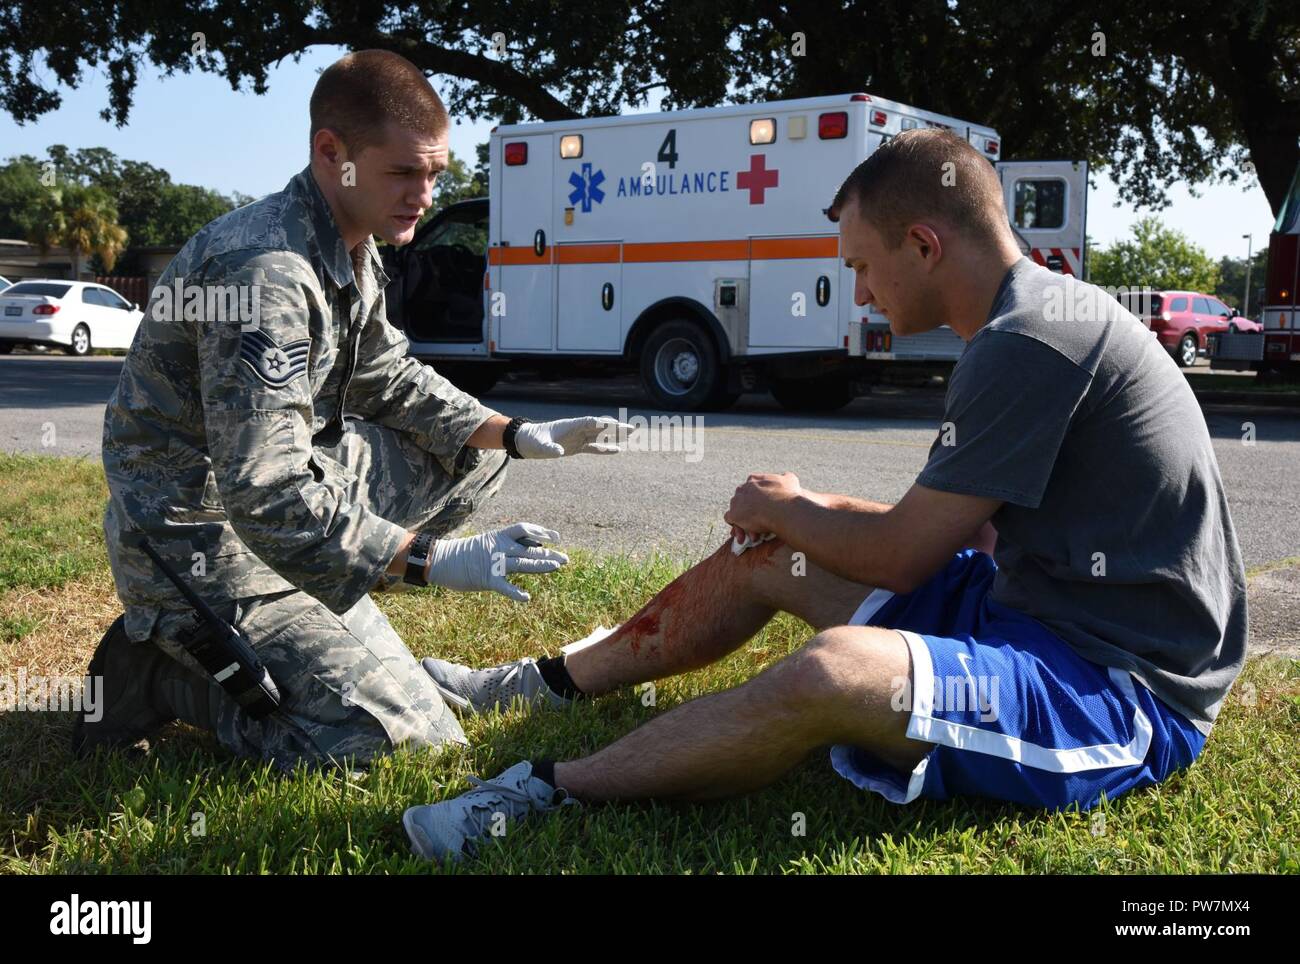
{"type": "Point", "coordinates": [838, 689]}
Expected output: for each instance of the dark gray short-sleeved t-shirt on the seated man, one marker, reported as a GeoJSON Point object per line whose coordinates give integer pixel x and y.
{"type": "Point", "coordinates": [1115, 531]}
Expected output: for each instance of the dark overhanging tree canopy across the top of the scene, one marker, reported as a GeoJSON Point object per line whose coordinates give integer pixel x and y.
{"type": "Point", "coordinates": [1193, 92]}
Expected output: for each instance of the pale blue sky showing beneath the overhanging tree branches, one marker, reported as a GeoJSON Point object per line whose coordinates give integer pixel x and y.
{"type": "Point", "coordinates": [203, 133]}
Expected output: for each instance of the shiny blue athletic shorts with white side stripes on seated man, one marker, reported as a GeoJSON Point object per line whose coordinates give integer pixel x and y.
{"type": "Point", "coordinates": [1015, 714]}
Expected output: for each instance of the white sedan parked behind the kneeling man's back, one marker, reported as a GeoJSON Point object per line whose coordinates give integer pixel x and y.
{"type": "Point", "coordinates": [73, 315]}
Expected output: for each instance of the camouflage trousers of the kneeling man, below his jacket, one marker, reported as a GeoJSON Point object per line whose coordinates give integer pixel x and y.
{"type": "Point", "coordinates": [349, 685]}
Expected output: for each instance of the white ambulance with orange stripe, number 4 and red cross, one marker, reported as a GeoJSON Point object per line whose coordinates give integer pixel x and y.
{"type": "Point", "coordinates": [691, 246]}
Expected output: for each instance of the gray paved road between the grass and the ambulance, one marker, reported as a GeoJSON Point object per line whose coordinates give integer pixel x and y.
{"type": "Point", "coordinates": [674, 501]}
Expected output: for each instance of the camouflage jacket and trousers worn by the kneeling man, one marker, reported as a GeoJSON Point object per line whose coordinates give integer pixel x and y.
{"type": "Point", "coordinates": [227, 445]}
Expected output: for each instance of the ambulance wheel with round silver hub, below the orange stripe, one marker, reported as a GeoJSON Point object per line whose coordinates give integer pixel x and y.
{"type": "Point", "coordinates": [681, 368]}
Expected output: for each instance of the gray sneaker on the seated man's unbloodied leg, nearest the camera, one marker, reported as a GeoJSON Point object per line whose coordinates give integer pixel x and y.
{"type": "Point", "coordinates": [453, 828]}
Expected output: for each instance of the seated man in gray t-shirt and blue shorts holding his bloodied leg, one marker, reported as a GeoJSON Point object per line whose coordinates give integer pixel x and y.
{"type": "Point", "coordinates": [1054, 613]}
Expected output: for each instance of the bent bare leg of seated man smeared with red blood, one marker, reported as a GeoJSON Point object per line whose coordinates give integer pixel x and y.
{"type": "Point", "coordinates": [710, 611]}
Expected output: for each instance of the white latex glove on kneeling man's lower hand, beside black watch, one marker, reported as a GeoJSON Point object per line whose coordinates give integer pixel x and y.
{"type": "Point", "coordinates": [483, 562]}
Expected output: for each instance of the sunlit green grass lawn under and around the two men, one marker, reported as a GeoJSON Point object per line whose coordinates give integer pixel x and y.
{"type": "Point", "coordinates": [1237, 810]}
